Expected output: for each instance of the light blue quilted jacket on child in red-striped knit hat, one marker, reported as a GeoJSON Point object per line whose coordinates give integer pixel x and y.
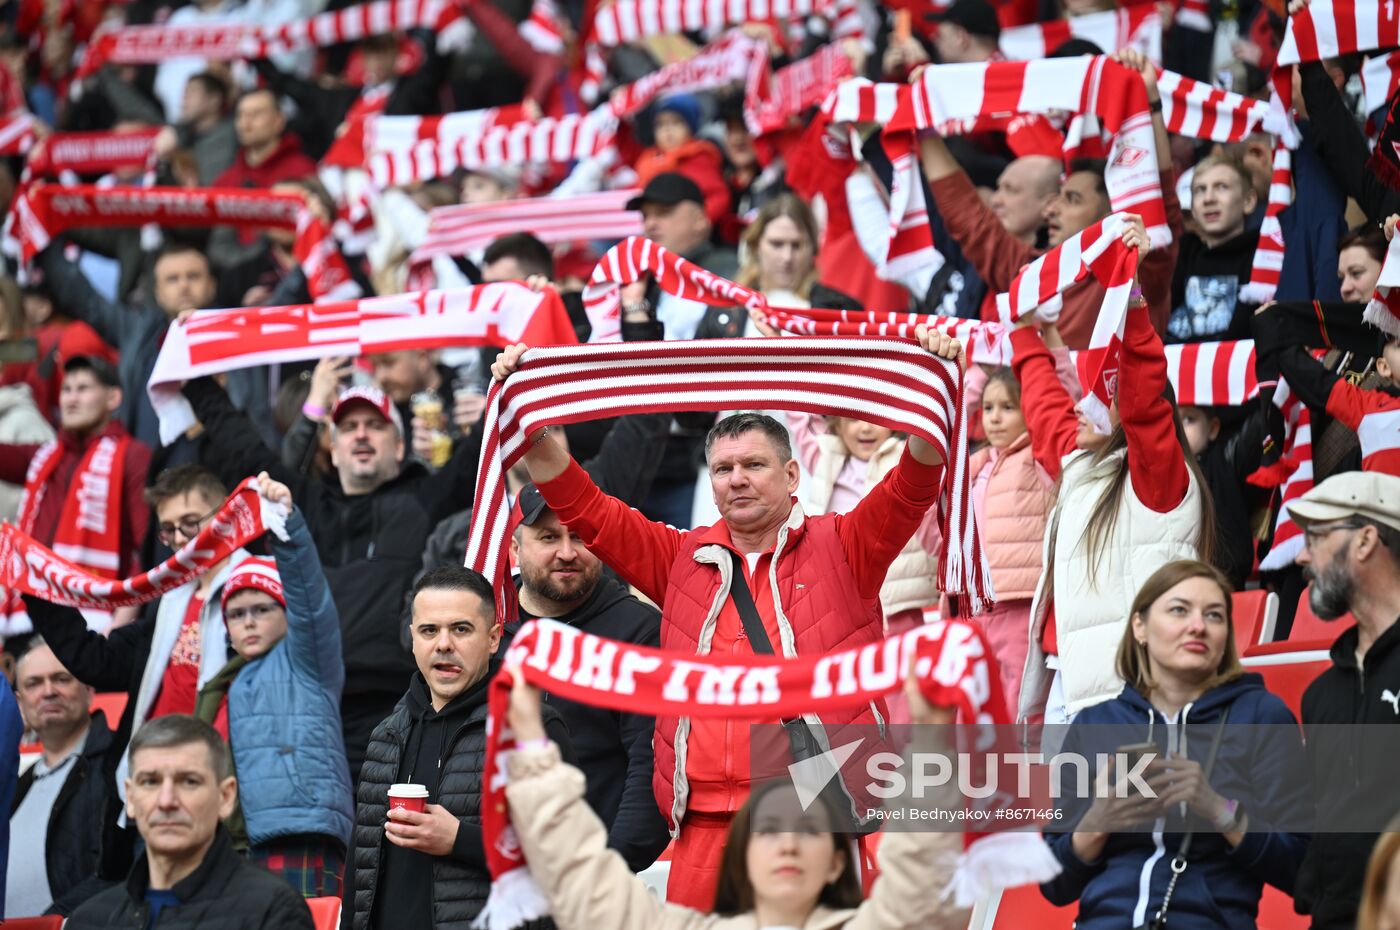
{"type": "Point", "coordinates": [285, 711]}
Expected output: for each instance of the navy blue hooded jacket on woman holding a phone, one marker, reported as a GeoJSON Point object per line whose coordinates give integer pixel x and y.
{"type": "Point", "coordinates": [1221, 887]}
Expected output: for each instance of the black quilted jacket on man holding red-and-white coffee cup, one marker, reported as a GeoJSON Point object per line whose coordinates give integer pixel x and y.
{"type": "Point", "coordinates": [404, 749]}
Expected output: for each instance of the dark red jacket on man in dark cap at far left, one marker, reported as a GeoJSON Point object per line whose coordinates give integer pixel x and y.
{"type": "Point", "coordinates": [15, 464]}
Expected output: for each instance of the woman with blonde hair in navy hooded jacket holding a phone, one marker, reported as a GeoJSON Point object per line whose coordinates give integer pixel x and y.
{"type": "Point", "coordinates": [1184, 679]}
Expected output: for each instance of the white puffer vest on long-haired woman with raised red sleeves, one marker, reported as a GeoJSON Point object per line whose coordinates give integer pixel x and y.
{"type": "Point", "coordinates": [1093, 603]}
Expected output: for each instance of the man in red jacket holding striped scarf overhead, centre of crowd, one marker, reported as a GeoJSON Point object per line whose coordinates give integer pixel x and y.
{"type": "Point", "coordinates": [814, 581]}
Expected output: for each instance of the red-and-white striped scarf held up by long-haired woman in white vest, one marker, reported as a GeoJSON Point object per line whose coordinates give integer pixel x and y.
{"type": "Point", "coordinates": [1037, 289]}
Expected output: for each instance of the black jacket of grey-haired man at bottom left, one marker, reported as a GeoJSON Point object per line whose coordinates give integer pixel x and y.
{"type": "Point", "coordinates": [223, 894]}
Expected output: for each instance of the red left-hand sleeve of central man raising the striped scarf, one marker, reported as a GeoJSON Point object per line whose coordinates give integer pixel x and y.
{"type": "Point", "coordinates": [639, 550]}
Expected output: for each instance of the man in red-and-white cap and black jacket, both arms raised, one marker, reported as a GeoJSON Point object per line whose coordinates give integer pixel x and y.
{"type": "Point", "coordinates": [370, 522]}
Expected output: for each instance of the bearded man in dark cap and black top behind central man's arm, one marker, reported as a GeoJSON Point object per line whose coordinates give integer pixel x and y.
{"type": "Point", "coordinates": [562, 581]}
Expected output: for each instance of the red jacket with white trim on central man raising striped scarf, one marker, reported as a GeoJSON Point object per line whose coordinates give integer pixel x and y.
{"type": "Point", "coordinates": [822, 597]}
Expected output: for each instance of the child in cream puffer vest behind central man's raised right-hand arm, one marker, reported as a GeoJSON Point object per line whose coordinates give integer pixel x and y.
{"type": "Point", "coordinates": [846, 460]}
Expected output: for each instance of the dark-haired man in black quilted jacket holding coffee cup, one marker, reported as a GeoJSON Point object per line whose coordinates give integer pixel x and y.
{"type": "Point", "coordinates": [432, 872]}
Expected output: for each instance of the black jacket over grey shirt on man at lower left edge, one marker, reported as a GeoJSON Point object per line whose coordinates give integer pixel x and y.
{"type": "Point", "coordinates": [75, 835]}
